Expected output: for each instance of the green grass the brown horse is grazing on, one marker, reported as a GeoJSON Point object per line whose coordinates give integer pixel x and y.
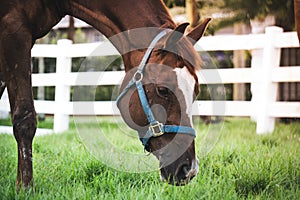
{"type": "Point", "coordinates": [242, 165]}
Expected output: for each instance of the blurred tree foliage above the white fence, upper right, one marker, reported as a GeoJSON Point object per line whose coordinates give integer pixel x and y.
{"type": "Point", "coordinates": [243, 11]}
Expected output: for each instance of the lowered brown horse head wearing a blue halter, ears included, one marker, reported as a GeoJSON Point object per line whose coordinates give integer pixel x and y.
{"type": "Point", "coordinates": [157, 97]}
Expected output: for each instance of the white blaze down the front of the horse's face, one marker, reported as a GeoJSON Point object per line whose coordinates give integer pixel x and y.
{"type": "Point", "coordinates": [186, 84]}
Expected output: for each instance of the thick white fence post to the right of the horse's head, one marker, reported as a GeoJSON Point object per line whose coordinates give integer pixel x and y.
{"type": "Point", "coordinates": [266, 89]}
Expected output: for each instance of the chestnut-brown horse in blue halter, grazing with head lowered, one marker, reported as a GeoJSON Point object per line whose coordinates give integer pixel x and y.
{"type": "Point", "coordinates": [167, 134]}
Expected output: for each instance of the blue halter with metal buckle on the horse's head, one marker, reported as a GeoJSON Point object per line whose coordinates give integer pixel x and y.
{"type": "Point", "coordinates": [155, 128]}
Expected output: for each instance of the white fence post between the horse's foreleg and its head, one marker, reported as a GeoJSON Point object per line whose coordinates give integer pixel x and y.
{"type": "Point", "coordinates": [62, 92]}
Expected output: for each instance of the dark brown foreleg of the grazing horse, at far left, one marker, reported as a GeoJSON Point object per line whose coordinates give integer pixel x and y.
{"type": "Point", "coordinates": [18, 83]}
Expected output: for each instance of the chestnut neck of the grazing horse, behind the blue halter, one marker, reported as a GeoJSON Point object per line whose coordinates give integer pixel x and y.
{"type": "Point", "coordinates": [116, 20]}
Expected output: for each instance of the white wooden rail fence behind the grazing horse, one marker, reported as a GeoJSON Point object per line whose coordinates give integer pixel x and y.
{"type": "Point", "coordinates": [264, 76]}
